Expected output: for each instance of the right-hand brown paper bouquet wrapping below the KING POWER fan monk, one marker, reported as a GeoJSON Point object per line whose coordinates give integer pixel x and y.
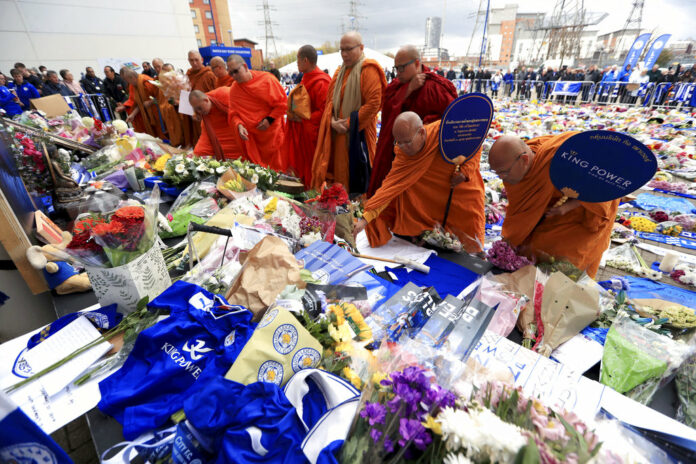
{"type": "Point", "coordinates": [566, 309]}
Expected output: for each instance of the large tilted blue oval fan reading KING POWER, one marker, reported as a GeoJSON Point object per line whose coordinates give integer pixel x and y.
{"type": "Point", "coordinates": [596, 166]}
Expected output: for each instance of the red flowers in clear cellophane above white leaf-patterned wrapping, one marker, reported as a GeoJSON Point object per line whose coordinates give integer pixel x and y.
{"type": "Point", "coordinates": [115, 238]}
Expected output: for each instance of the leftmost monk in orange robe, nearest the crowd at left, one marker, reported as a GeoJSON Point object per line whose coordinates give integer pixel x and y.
{"type": "Point", "coordinates": [140, 106]}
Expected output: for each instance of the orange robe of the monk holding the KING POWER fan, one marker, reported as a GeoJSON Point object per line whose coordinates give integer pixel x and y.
{"type": "Point", "coordinates": [581, 235]}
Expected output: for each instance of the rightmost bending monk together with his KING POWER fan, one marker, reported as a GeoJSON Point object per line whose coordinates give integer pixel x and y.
{"type": "Point", "coordinates": [564, 191]}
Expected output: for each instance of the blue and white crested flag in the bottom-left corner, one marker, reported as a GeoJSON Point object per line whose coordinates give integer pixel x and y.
{"type": "Point", "coordinates": [22, 441]}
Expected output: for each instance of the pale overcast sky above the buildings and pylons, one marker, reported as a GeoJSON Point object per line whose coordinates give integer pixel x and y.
{"type": "Point", "coordinates": [389, 23]}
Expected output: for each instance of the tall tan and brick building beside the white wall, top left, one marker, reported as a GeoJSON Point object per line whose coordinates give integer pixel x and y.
{"type": "Point", "coordinates": [211, 22]}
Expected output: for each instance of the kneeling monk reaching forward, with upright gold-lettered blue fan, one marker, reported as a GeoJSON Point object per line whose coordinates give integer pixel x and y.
{"type": "Point", "coordinates": [434, 181]}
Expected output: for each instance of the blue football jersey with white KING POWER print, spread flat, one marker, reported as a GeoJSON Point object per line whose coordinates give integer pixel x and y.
{"type": "Point", "coordinates": [200, 339]}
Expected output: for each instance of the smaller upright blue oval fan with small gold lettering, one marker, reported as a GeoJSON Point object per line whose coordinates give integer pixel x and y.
{"type": "Point", "coordinates": [464, 127]}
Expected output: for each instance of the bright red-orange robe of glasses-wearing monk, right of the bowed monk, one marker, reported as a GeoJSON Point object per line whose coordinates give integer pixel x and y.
{"type": "Point", "coordinates": [252, 101]}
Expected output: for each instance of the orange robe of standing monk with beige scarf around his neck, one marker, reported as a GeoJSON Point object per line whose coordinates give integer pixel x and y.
{"type": "Point", "coordinates": [331, 156]}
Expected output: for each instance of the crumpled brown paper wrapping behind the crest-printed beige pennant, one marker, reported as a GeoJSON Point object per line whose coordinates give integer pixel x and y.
{"type": "Point", "coordinates": [268, 268]}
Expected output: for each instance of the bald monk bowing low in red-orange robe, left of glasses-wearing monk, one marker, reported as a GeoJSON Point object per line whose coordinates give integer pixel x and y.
{"type": "Point", "coordinates": [218, 138]}
